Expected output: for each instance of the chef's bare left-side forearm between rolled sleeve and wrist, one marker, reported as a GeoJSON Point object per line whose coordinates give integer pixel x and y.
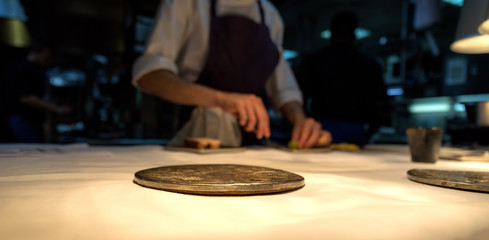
{"type": "Point", "coordinates": [170, 87]}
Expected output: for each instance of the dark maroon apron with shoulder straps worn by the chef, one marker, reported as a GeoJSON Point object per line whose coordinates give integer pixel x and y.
{"type": "Point", "coordinates": [241, 56]}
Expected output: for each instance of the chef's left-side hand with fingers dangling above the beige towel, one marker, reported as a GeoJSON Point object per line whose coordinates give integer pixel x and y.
{"type": "Point", "coordinates": [251, 112]}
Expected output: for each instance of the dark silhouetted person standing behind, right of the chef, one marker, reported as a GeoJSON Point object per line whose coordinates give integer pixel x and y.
{"type": "Point", "coordinates": [345, 85]}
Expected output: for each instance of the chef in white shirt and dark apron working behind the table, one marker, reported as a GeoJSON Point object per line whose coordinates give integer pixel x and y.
{"type": "Point", "coordinates": [224, 58]}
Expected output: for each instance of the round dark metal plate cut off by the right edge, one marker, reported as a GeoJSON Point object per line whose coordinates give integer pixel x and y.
{"type": "Point", "coordinates": [465, 180]}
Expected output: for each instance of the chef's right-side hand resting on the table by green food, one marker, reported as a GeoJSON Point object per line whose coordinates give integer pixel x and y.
{"type": "Point", "coordinates": [309, 133]}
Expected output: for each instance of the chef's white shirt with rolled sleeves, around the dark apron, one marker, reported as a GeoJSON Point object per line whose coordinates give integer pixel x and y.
{"type": "Point", "coordinates": [179, 43]}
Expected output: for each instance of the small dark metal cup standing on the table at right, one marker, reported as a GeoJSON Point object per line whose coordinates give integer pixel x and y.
{"type": "Point", "coordinates": [424, 144]}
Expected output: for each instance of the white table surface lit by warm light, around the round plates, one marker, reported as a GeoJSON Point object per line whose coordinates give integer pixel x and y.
{"type": "Point", "coordinates": [85, 192]}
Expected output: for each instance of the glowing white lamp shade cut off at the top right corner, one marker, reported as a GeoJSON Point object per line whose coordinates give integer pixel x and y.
{"type": "Point", "coordinates": [471, 36]}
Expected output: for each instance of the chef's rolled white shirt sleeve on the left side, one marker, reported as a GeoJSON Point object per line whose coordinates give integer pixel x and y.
{"type": "Point", "coordinates": [170, 32]}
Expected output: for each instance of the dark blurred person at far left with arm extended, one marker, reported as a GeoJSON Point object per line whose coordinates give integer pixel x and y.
{"type": "Point", "coordinates": [25, 91]}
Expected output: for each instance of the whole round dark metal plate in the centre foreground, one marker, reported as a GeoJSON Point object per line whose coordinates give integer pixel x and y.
{"type": "Point", "coordinates": [219, 179]}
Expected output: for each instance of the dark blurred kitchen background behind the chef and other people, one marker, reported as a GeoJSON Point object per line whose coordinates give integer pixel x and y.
{"type": "Point", "coordinates": [100, 39]}
